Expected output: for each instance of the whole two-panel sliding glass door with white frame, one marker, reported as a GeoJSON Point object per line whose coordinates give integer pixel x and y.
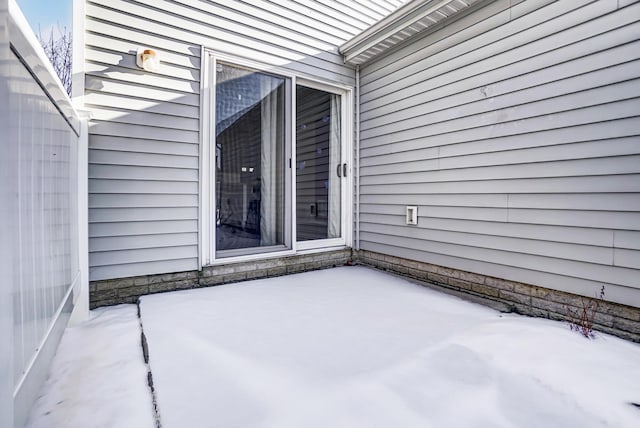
{"type": "Point", "coordinates": [275, 170]}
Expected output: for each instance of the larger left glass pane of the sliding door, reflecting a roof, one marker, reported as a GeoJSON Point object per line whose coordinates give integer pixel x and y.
{"type": "Point", "coordinates": [250, 138]}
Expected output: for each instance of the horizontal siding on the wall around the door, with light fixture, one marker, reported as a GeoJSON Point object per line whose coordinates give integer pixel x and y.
{"type": "Point", "coordinates": [145, 127]}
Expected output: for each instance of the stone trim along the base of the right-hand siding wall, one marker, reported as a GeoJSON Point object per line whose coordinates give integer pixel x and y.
{"type": "Point", "coordinates": [509, 296]}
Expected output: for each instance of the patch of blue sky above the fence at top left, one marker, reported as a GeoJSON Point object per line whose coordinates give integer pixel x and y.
{"type": "Point", "coordinates": [47, 14]}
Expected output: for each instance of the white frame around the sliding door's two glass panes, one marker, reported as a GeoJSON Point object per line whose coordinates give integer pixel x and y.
{"type": "Point", "coordinates": [206, 220]}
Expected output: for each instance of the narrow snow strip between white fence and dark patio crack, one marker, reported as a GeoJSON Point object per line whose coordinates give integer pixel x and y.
{"type": "Point", "coordinates": [98, 378]}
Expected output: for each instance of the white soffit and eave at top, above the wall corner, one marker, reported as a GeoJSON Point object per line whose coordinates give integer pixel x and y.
{"type": "Point", "coordinates": [407, 21]}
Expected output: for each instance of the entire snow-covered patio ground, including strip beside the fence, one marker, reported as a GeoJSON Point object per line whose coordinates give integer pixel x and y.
{"type": "Point", "coordinates": [345, 347]}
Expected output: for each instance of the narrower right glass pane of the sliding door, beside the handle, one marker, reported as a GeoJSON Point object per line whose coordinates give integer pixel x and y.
{"type": "Point", "coordinates": [319, 167]}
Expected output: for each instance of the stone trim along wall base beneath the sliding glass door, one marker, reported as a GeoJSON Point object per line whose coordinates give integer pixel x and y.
{"type": "Point", "coordinates": [128, 290]}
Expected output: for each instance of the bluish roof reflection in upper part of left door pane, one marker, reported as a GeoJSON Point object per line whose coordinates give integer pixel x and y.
{"type": "Point", "coordinates": [238, 91]}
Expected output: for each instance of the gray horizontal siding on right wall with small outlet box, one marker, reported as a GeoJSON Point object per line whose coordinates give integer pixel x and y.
{"type": "Point", "coordinates": [516, 134]}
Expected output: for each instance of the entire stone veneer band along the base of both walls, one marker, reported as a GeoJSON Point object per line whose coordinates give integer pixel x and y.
{"type": "Point", "coordinates": [508, 296]}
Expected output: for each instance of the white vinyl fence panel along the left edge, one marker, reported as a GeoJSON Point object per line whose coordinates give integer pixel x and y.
{"type": "Point", "coordinates": [41, 145]}
